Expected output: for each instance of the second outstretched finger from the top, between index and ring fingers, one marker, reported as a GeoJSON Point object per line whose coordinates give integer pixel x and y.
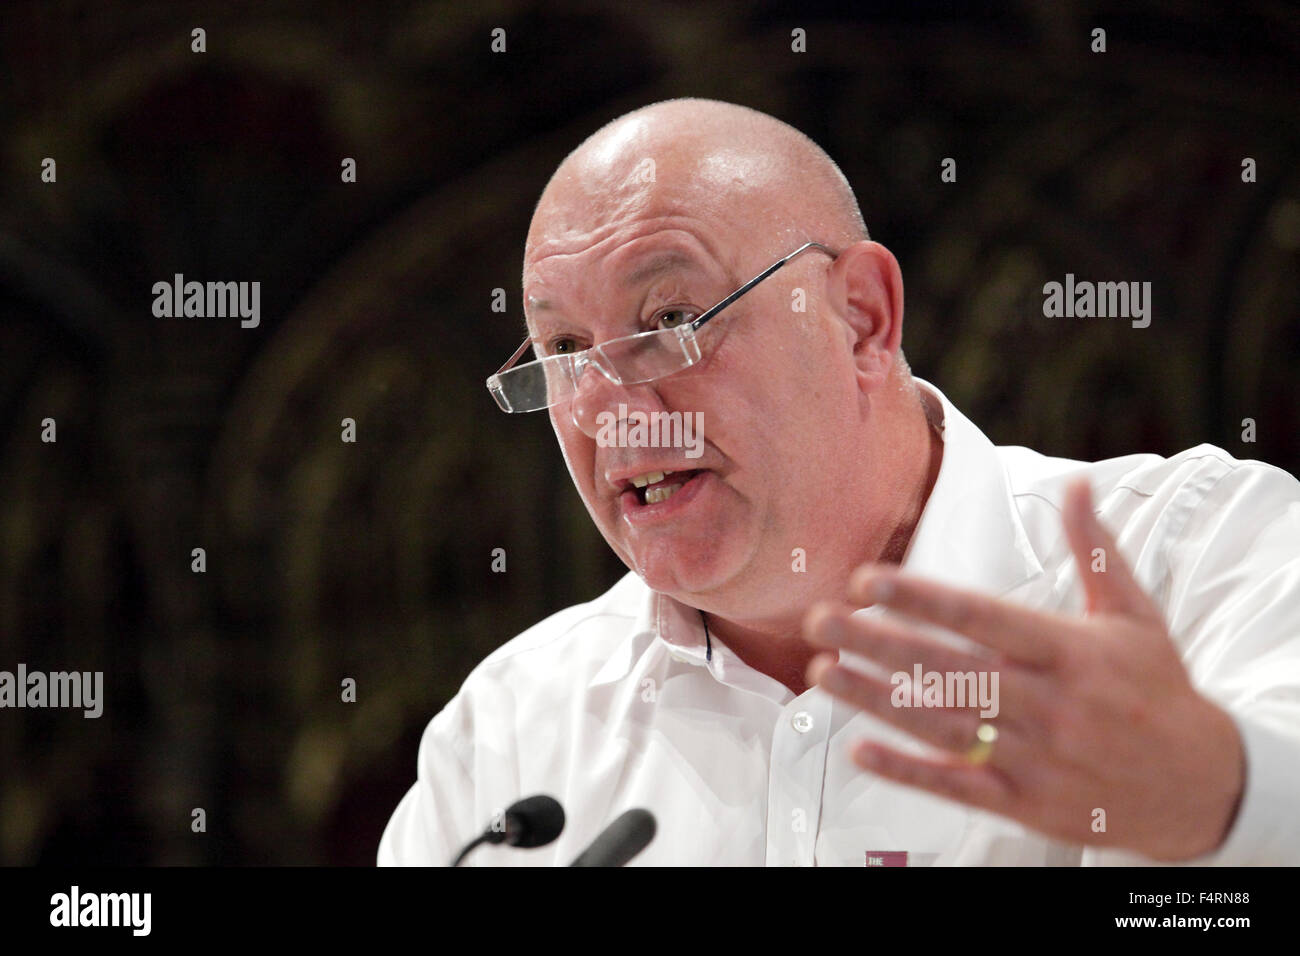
{"type": "Point", "coordinates": [905, 651]}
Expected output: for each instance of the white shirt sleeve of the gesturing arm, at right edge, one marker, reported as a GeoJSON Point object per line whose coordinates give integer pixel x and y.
{"type": "Point", "coordinates": [1236, 612]}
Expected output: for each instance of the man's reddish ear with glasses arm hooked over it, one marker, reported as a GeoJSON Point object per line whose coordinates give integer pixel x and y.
{"type": "Point", "coordinates": [866, 288]}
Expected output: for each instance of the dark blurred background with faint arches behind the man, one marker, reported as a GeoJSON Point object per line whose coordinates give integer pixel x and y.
{"type": "Point", "coordinates": [374, 561]}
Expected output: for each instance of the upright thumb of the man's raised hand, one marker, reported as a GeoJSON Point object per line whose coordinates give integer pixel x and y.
{"type": "Point", "coordinates": [1108, 582]}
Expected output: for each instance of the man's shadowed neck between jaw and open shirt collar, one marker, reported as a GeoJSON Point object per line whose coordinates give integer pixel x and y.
{"type": "Point", "coordinates": [775, 646]}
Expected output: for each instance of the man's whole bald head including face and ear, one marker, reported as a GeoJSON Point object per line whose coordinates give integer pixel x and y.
{"type": "Point", "coordinates": [653, 220]}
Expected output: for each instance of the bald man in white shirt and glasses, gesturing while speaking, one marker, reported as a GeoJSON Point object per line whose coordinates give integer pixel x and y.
{"type": "Point", "coordinates": [762, 682]}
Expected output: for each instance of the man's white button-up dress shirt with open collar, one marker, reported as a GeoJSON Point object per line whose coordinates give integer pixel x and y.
{"type": "Point", "coordinates": [622, 703]}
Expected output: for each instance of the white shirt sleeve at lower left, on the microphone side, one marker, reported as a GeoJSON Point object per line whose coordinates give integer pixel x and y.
{"type": "Point", "coordinates": [434, 820]}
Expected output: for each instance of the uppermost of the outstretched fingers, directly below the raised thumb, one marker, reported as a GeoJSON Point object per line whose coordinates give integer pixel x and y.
{"type": "Point", "coordinates": [1029, 637]}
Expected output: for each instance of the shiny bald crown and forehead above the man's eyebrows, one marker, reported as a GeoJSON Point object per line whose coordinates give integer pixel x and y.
{"type": "Point", "coordinates": [759, 178]}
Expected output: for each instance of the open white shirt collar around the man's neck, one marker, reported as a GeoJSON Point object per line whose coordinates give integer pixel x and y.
{"type": "Point", "coordinates": [970, 537]}
